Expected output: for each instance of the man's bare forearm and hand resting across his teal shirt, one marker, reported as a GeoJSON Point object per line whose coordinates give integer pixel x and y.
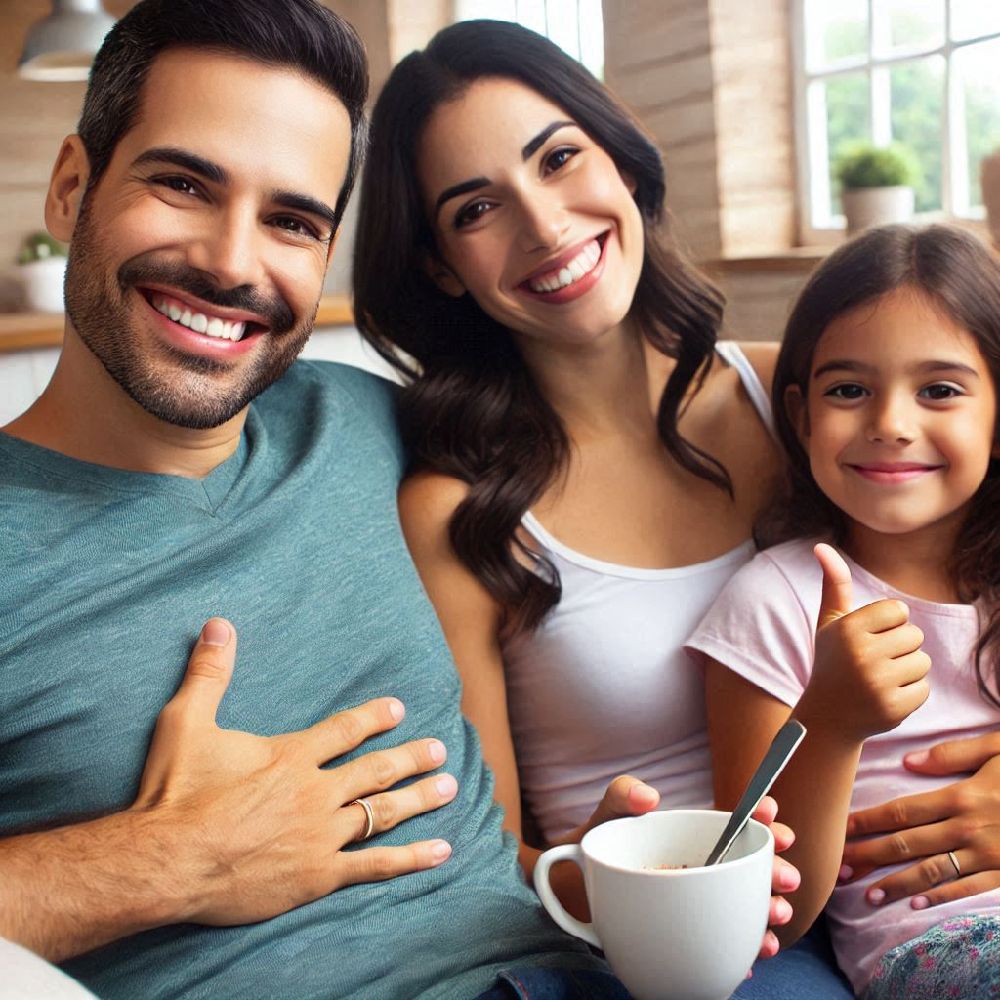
{"type": "Point", "coordinates": [228, 828]}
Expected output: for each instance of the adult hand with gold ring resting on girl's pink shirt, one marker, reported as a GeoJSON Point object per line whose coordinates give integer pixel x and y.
{"type": "Point", "coordinates": [963, 817]}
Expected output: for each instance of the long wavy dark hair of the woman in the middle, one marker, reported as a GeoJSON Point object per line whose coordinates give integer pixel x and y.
{"type": "Point", "coordinates": [471, 409]}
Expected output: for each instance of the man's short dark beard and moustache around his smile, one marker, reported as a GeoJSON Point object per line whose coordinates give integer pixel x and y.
{"type": "Point", "coordinates": [183, 389]}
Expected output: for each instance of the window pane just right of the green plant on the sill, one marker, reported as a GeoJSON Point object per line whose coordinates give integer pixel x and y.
{"type": "Point", "coordinates": [917, 119]}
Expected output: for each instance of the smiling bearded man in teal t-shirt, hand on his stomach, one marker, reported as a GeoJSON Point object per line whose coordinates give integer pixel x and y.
{"type": "Point", "coordinates": [167, 851]}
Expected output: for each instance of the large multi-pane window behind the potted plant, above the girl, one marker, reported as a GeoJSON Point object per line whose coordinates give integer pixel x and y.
{"type": "Point", "coordinates": [919, 72]}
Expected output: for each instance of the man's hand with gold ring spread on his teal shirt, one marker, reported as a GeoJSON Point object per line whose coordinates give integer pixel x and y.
{"type": "Point", "coordinates": [259, 825]}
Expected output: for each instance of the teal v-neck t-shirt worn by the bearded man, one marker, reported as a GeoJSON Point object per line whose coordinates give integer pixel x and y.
{"type": "Point", "coordinates": [107, 578]}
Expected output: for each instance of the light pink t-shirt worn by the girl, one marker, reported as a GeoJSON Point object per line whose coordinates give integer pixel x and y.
{"type": "Point", "coordinates": [762, 626]}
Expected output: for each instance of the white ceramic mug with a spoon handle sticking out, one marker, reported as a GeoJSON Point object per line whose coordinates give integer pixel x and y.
{"type": "Point", "coordinates": [688, 933]}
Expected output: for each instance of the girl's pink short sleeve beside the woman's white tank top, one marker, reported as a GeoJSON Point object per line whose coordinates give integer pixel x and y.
{"type": "Point", "coordinates": [761, 627]}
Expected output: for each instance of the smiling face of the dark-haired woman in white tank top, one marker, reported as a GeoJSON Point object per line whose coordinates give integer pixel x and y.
{"type": "Point", "coordinates": [531, 216]}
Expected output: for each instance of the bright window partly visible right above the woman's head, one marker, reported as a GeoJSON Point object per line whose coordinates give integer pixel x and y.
{"type": "Point", "coordinates": [576, 26]}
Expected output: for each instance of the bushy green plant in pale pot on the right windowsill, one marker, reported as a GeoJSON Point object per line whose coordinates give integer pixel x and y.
{"type": "Point", "coordinates": [876, 184]}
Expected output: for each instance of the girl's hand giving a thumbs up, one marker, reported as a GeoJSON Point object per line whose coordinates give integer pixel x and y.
{"type": "Point", "coordinates": [870, 672]}
